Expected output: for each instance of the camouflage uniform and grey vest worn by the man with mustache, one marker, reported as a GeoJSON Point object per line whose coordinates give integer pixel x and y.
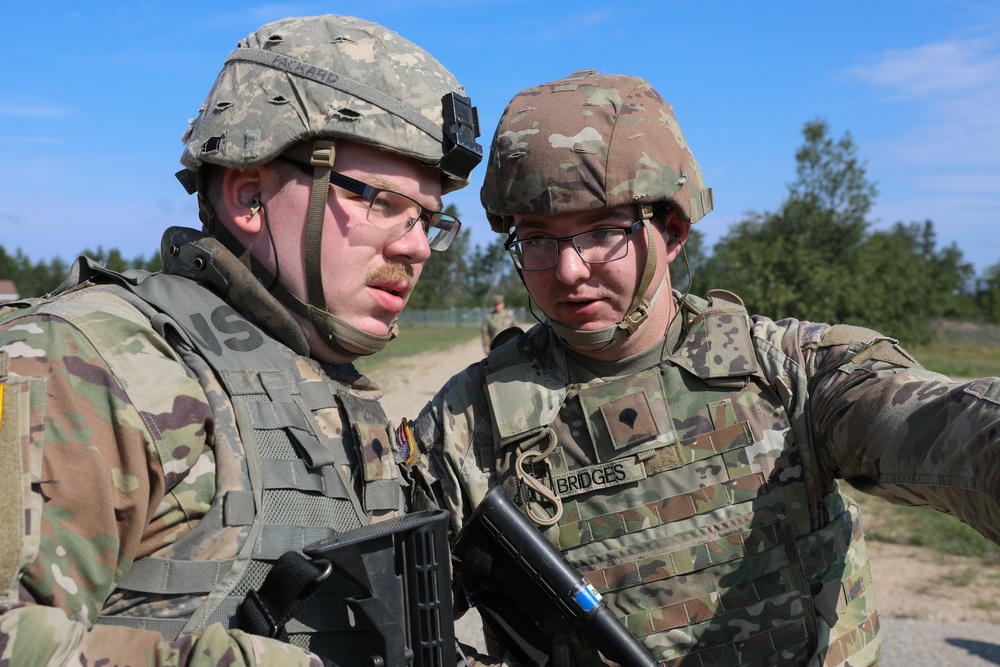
{"type": "Point", "coordinates": [136, 446]}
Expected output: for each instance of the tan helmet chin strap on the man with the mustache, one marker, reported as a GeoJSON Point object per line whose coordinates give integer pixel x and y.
{"type": "Point", "coordinates": [334, 330]}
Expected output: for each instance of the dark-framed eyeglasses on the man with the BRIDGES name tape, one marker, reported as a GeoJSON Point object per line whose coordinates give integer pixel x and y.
{"type": "Point", "coordinates": [598, 246]}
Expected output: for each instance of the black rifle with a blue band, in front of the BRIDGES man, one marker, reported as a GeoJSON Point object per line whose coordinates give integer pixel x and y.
{"type": "Point", "coordinates": [498, 536]}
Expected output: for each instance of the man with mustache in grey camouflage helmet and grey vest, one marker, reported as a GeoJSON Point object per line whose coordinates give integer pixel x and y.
{"type": "Point", "coordinates": [172, 435]}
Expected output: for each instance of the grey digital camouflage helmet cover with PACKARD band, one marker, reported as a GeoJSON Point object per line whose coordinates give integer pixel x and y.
{"type": "Point", "coordinates": [331, 77]}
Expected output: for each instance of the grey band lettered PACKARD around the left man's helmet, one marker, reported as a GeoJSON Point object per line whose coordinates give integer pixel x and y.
{"type": "Point", "coordinates": [338, 82]}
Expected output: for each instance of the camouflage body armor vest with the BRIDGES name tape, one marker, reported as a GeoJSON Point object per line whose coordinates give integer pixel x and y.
{"type": "Point", "coordinates": [689, 495]}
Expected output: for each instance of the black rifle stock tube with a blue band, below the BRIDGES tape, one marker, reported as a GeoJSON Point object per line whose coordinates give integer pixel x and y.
{"type": "Point", "coordinates": [542, 567]}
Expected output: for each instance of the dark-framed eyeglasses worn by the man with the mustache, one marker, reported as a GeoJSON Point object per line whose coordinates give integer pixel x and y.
{"type": "Point", "coordinates": [393, 212]}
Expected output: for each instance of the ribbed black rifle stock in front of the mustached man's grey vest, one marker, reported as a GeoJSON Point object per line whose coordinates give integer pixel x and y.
{"type": "Point", "coordinates": [402, 565]}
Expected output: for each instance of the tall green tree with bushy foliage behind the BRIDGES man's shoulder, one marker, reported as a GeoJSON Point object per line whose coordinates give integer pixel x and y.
{"type": "Point", "coordinates": [817, 259]}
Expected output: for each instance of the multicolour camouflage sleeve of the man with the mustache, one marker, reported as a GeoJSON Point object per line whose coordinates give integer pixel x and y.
{"type": "Point", "coordinates": [86, 418]}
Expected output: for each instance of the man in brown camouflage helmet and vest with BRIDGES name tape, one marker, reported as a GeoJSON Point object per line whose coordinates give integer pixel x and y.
{"type": "Point", "coordinates": [687, 458]}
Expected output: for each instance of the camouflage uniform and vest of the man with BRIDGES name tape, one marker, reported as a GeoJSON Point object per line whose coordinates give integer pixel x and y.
{"type": "Point", "coordinates": [702, 485]}
